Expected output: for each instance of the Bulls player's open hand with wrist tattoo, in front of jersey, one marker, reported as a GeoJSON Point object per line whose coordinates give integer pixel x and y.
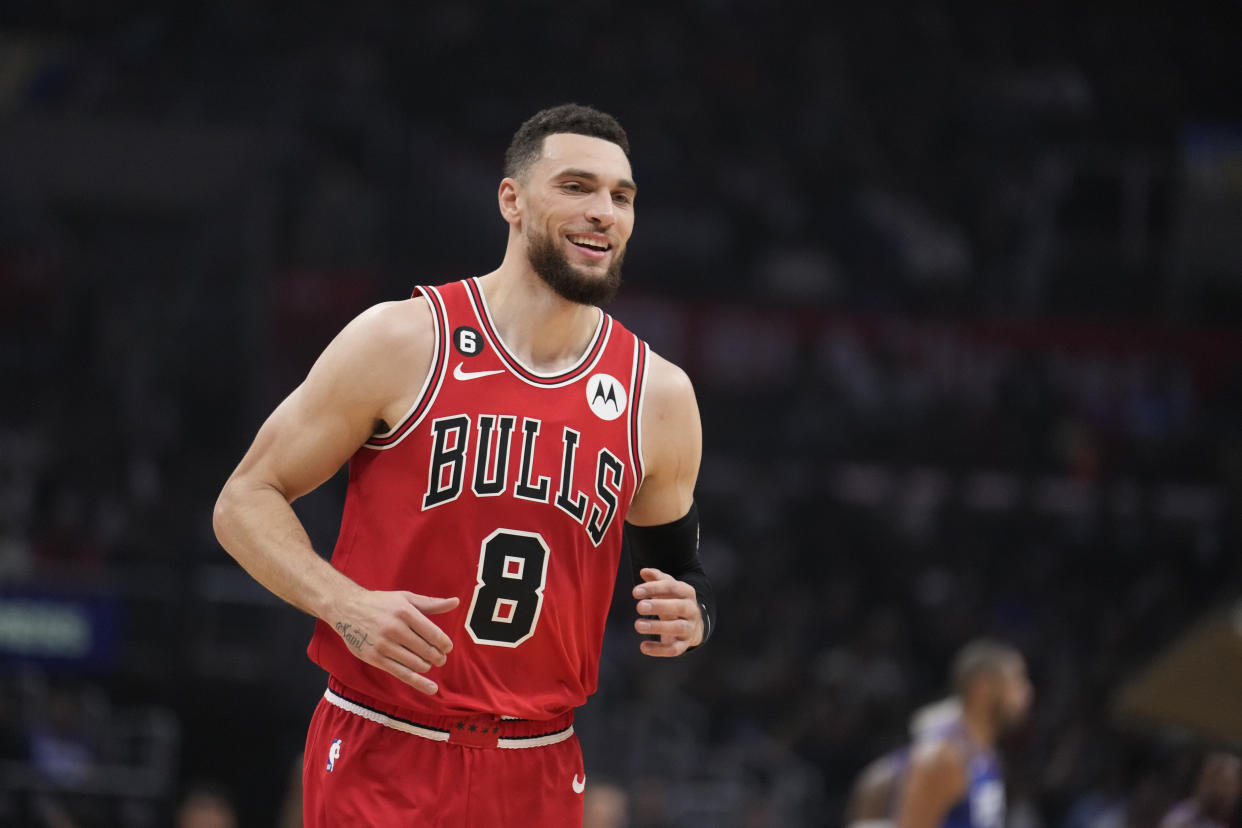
{"type": "Point", "coordinates": [392, 631]}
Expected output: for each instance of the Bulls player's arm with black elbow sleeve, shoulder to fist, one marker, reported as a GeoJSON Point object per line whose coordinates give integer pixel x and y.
{"type": "Point", "coordinates": [676, 605]}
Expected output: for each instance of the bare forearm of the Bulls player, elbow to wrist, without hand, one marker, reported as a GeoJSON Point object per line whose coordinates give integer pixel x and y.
{"type": "Point", "coordinates": [258, 527]}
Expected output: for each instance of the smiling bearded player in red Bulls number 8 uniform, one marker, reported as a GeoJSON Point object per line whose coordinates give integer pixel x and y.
{"type": "Point", "coordinates": [500, 434]}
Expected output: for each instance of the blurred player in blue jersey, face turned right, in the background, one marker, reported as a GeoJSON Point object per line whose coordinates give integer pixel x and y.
{"type": "Point", "coordinates": [953, 779]}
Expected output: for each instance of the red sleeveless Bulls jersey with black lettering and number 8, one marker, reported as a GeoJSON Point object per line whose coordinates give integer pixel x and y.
{"type": "Point", "coordinates": [509, 490]}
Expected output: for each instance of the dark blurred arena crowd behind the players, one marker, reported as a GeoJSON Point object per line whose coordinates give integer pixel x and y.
{"type": "Point", "coordinates": [959, 286]}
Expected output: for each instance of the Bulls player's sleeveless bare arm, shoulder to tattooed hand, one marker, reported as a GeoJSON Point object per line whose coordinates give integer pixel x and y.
{"type": "Point", "coordinates": [367, 377]}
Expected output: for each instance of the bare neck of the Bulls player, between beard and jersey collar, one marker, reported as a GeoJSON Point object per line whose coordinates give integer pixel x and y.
{"type": "Point", "coordinates": [546, 332]}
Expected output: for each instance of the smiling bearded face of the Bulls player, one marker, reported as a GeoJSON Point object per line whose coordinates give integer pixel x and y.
{"type": "Point", "coordinates": [578, 215]}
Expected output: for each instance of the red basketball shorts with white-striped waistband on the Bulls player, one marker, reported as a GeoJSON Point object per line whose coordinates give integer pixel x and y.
{"type": "Point", "coordinates": [371, 765]}
